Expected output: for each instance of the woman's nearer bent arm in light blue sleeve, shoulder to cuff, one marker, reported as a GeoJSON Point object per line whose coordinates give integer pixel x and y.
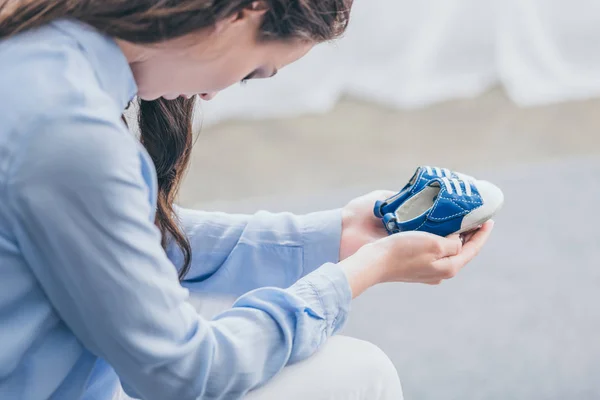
{"type": "Point", "coordinates": [83, 220]}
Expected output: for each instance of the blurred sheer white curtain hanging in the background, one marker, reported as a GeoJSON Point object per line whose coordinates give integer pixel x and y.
{"type": "Point", "coordinates": [409, 54]}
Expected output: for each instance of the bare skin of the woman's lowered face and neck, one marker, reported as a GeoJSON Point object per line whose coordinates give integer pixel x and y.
{"type": "Point", "coordinates": [207, 62]}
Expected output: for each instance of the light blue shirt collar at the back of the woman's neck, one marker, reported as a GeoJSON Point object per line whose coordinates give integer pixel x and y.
{"type": "Point", "coordinates": [107, 59]}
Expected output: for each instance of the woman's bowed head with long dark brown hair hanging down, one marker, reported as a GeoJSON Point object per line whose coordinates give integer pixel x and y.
{"type": "Point", "coordinates": [187, 47]}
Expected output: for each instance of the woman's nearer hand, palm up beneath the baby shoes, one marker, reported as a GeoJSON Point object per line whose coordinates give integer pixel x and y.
{"type": "Point", "coordinates": [416, 257]}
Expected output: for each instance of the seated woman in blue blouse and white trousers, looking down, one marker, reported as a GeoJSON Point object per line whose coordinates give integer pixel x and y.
{"type": "Point", "coordinates": [91, 245]}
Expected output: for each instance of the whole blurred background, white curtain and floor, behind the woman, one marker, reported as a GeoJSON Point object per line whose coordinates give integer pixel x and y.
{"type": "Point", "coordinates": [505, 90]}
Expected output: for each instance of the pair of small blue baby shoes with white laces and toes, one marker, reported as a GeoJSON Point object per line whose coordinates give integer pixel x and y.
{"type": "Point", "coordinates": [442, 203]}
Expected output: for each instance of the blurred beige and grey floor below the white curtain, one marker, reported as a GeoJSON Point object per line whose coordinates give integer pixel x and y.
{"type": "Point", "coordinates": [523, 320]}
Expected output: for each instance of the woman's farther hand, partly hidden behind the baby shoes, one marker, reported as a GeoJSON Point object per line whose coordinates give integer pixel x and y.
{"type": "Point", "coordinates": [359, 224]}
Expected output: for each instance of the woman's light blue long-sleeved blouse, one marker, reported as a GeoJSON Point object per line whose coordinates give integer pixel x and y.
{"type": "Point", "coordinates": [87, 293]}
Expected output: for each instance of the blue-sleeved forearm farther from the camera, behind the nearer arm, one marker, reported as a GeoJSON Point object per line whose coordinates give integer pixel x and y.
{"type": "Point", "coordinates": [234, 253]}
